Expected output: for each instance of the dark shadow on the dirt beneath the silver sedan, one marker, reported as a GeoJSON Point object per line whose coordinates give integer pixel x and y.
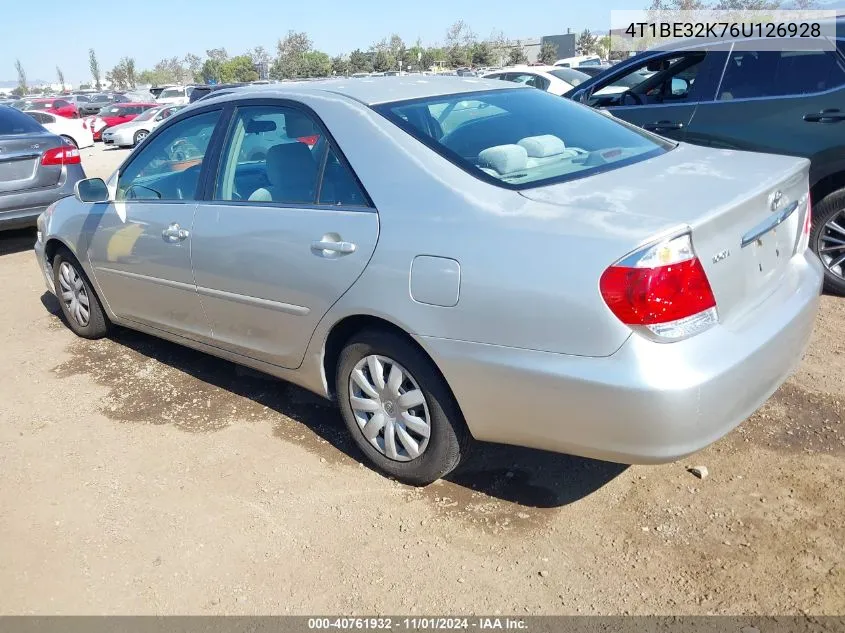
{"type": "Point", "coordinates": [527, 477]}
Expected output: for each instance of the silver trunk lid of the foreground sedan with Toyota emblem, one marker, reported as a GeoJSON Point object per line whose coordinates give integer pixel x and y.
{"type": "Point", "coordinates": [745, 212]}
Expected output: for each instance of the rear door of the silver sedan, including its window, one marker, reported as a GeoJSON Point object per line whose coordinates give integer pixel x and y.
{"type": "Point", "coordinates": [288, 231]}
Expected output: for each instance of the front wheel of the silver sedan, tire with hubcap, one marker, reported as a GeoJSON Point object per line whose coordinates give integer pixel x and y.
{"type": "Point", "coordinates": [68, 276]}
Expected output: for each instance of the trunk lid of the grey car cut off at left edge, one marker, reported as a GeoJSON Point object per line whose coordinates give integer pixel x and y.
{"type": "Point", "coordinates": [20, 162]}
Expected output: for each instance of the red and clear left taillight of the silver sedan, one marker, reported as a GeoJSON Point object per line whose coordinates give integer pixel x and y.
{"type": "Point", "coordinates": [662, 287]}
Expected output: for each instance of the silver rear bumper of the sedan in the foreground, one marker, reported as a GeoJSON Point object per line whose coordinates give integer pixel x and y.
{"type": "Point", "coordinates": [648, 402]}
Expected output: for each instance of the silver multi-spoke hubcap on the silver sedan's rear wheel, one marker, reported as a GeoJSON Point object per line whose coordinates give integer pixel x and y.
{"type": "Point", "coordinates": [390, 408]}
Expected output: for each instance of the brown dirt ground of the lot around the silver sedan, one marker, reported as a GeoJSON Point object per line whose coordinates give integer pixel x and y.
{"type": "Point", "coordinates": [141, 477]}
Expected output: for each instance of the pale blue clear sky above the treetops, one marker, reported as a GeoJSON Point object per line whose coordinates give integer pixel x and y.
{"type": "Point", "coordinates": [150, 30]}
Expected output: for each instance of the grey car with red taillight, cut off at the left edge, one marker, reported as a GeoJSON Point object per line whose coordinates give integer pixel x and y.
{"type": "Point", "coordinates": [37, 168]}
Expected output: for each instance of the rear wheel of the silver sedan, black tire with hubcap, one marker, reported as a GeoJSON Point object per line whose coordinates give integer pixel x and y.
{"type": "Point", "coordinates": [448, 437]}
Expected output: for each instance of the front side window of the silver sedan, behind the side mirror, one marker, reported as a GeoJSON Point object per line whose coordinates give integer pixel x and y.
{"type": "Point", "coordinates": [168, 167]}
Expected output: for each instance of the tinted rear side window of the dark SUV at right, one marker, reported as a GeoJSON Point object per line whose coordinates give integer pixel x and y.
{"type": "Point", "coordinates": [753, 74]}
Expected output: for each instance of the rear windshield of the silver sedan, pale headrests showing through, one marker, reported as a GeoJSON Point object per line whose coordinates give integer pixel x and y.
{"type": "Point", "coordinates": [522, 138]}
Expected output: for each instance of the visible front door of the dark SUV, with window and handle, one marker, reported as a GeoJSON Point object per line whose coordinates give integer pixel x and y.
{"type": "Point", "coordinates": [661, 94]}
